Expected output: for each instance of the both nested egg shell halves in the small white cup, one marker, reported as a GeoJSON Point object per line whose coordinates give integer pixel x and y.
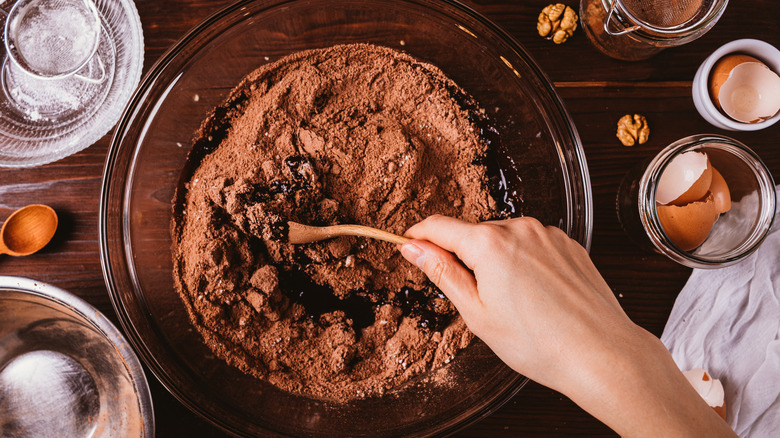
{"type": "Point", "coordinates": [745, 89]}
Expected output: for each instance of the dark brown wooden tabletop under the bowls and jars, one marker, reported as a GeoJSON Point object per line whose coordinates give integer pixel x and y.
{"type": "Point", "coordinates": [596, 90]}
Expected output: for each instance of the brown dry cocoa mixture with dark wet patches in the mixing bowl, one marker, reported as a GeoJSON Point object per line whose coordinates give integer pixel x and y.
{"type": "Point", "coordinates": [347, 134]}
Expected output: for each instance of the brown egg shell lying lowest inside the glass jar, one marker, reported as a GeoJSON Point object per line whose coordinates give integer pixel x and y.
{"type": "Point", "coordinates": [688, 226]}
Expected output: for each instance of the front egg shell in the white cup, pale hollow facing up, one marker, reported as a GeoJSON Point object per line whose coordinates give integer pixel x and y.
{"type": "Point", "coordinates": [751, 93]}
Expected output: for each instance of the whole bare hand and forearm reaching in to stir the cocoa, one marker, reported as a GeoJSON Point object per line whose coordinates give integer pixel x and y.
{"type": "Point", "coordinates": [534, 297]}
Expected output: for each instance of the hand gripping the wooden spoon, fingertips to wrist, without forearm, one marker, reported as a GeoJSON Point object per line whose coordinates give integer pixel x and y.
{"type": "Point", "coordinates": [534, 296]}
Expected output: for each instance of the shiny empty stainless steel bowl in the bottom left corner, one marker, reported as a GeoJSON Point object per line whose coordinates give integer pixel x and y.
{"type": "Point", "coordinates": [65, 370]}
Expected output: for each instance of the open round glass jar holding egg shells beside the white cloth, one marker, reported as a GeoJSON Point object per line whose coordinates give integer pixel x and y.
{"type": "Point", "coordinates": [735, 235]}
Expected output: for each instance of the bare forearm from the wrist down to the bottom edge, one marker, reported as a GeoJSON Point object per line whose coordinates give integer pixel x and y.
{"type": "Point", "coordinates": [635, 388]}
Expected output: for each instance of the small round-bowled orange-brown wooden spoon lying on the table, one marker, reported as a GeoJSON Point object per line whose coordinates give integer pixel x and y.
{"type": "Point", "coordinates": [28, 230]}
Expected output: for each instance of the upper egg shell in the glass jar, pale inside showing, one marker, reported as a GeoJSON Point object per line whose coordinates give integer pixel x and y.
{"type": "Point", "coordinates": [687, 178]}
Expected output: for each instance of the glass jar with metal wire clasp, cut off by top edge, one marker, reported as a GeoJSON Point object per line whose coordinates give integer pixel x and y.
{"type": "Point", "coordinates": [634, 30]}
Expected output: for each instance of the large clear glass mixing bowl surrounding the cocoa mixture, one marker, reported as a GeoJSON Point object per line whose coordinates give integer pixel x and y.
{"type": "Point", "coordinates": [149, 151]}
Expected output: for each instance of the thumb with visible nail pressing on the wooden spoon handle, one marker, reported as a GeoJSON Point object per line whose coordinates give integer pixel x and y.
{"type": "Point", "coordinates": [445, 271]}
